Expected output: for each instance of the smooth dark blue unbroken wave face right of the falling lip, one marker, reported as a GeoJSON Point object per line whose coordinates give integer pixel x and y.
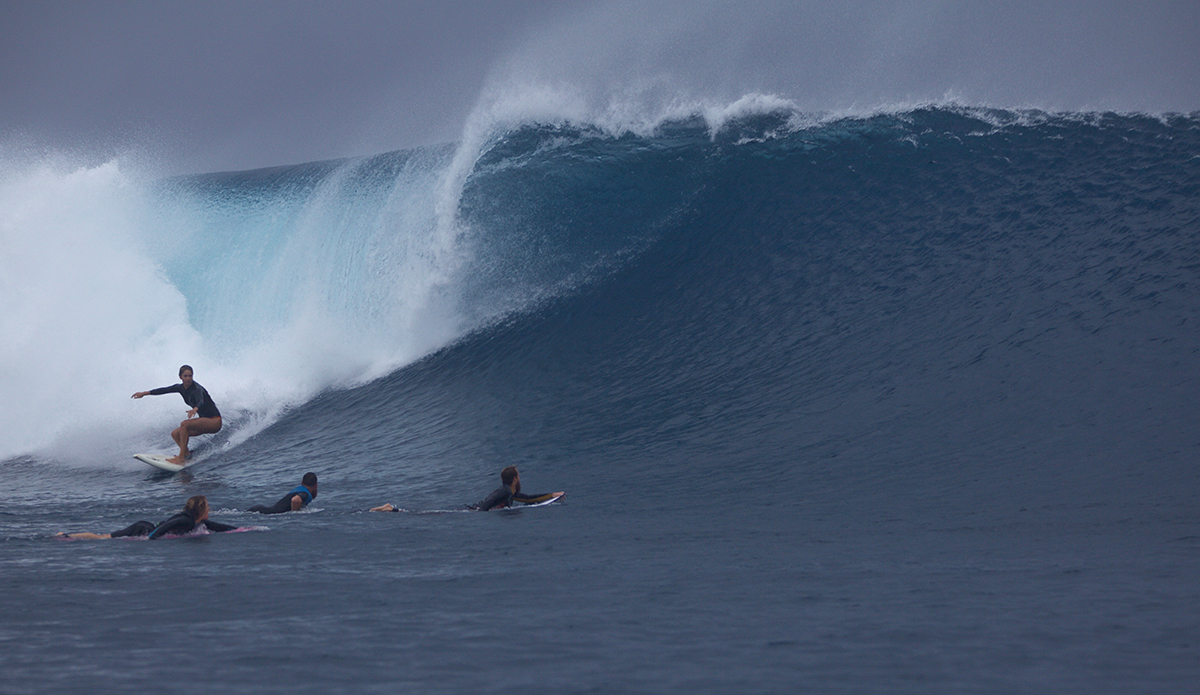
{"type": "Point", "coordinates": [952, 304]}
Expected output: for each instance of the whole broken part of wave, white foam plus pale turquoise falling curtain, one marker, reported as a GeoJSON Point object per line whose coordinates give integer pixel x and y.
{"type": "Point", "coordinates": [89, 275]}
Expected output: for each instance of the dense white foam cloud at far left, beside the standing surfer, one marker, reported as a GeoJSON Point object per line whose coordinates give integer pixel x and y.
{"type": "Point", "coordinates": [86, 310]}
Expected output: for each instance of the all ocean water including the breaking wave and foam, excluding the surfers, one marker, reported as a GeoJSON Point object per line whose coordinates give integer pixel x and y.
{"type": "Point", "coordinates": [901, 403]}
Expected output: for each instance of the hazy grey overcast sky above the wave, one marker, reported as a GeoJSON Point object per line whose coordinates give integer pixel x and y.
{"type": "Point", "coordinates": [233, 85]}
